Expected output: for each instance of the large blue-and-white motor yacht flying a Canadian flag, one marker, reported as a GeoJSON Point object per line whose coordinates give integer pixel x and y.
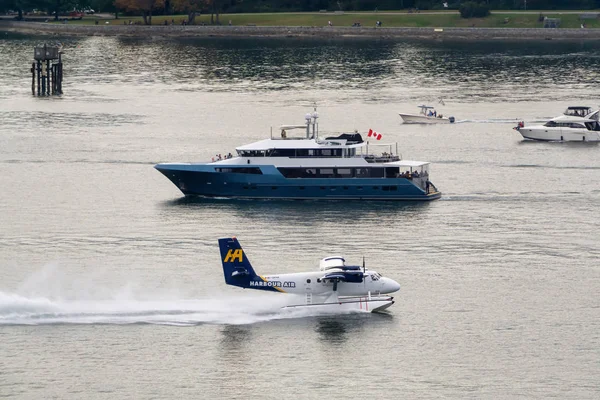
{"type": "Point", "coordinates": [307, 166]}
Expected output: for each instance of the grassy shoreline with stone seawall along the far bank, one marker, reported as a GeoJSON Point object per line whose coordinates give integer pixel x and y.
{"type": "Point", "coordinates": [436, 26]}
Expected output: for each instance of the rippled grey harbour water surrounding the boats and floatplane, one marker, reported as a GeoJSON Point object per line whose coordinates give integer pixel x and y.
{"type": "Point", "coordinates": [111, 284]}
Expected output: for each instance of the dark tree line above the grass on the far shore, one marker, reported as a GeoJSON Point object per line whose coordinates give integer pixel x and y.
{"type": "Point", "coordinates": [146, 8]}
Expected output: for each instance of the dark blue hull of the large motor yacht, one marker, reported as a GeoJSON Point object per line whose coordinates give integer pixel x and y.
{"type": "Point", "coordinates": [213, 184]}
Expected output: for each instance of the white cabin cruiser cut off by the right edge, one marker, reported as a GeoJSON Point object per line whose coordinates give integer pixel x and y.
{"type": "Point", "coordinates": [576, 124]}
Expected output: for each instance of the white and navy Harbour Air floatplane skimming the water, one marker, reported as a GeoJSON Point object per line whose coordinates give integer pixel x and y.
{"type": "Point", "coordinates": [335, 287]}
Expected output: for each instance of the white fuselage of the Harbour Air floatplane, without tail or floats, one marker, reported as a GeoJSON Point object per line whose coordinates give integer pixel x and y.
{"type": "Point", "coordinates": [311, 282]}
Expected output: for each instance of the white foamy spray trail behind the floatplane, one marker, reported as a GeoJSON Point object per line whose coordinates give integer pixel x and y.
{"type": "Point", "coordinates": [21, 310]}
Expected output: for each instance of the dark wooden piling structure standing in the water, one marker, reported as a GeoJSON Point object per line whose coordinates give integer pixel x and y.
{"type": "Point", "coordinates": [46, 71]}
